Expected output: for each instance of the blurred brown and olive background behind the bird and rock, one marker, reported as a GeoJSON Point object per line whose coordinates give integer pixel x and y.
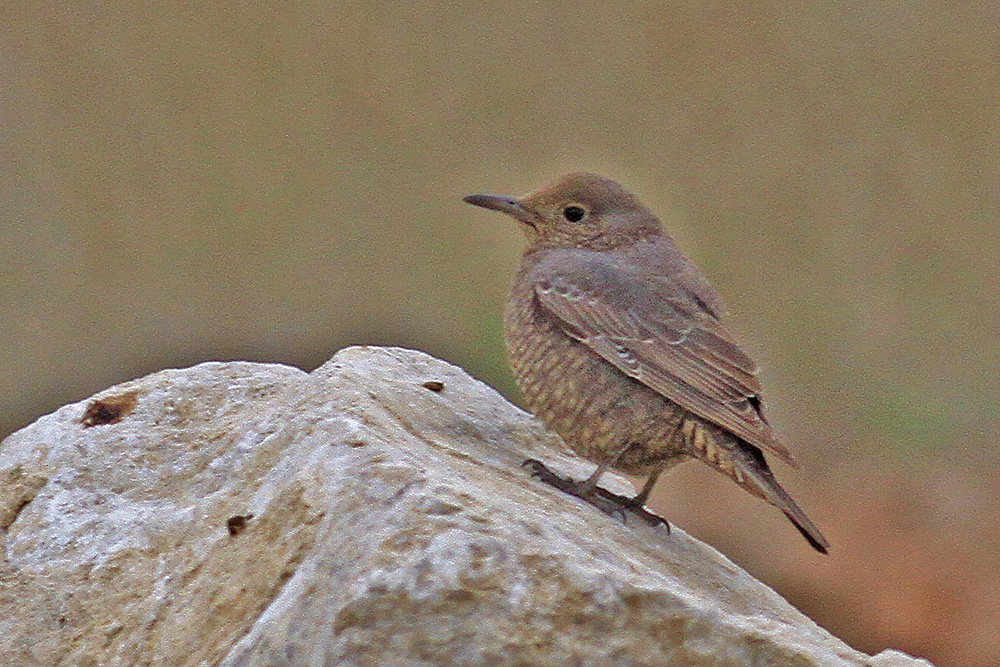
{"type": "Point", "coordinates": [273, 181]}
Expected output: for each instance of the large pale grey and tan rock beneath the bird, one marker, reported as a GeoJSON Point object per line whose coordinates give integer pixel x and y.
{"type": "Point", "coordinates": [372, 512]}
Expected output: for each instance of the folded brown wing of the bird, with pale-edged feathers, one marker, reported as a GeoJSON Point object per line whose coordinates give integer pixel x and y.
{"type": "Point", "coordinates": [652, 329]}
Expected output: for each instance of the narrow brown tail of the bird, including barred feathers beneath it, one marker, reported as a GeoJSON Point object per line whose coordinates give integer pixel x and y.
{"type": "Point", "coordinates": [748, 468]}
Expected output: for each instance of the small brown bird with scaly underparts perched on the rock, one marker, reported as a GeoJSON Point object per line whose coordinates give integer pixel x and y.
{"type": "Point", "coordinates": [618, 345]}
